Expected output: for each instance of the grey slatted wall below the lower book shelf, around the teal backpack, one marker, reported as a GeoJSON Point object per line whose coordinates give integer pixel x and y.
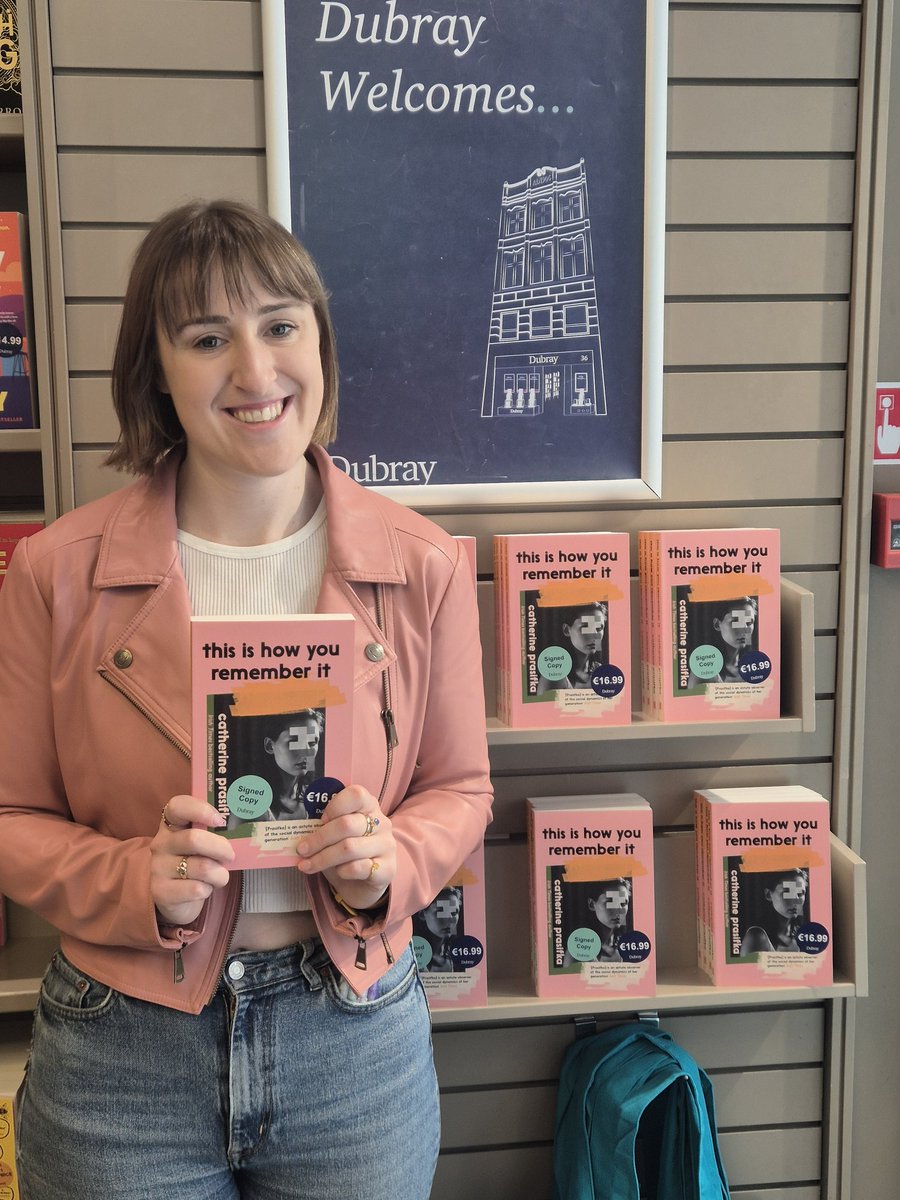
{"type": "Point", "coordinates": [500, 1088]}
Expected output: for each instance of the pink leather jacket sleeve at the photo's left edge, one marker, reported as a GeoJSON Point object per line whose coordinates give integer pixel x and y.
{"type": "Point", "coordinates": [86, 884]}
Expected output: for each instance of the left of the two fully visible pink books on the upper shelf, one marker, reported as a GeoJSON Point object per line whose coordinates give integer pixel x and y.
{"type": "Point", "coordinates": [565, 623]}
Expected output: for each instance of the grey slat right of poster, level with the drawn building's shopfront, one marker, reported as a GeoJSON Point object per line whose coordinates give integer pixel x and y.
{"type": "Point", "coordinates": [704, 403]}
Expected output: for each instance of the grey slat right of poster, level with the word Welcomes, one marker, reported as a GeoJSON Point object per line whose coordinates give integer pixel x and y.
{"type": "Point", "coordinates": [761, 119]}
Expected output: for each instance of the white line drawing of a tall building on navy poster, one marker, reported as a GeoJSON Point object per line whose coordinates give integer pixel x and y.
{"type": "Point", "coordinates": [544, 349]}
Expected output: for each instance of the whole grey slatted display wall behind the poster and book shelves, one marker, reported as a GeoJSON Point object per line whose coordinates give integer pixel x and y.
{"type": "Point", "coordinates": [760, 213]}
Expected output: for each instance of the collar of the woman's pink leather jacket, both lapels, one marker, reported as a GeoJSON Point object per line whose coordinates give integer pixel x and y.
{"type": "Point", "coordinates": [140, 542]}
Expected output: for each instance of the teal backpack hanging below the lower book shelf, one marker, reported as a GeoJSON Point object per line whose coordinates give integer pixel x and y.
{"type": "Point", "coordinates": [627, 1081]}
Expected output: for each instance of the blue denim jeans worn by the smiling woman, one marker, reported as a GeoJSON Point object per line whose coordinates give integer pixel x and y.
{"type": "Point", "coordinates": [286, 1087]}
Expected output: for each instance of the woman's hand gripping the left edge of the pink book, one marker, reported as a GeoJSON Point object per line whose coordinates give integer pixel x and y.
{"type": "Point", "coordinates": [188, 863]}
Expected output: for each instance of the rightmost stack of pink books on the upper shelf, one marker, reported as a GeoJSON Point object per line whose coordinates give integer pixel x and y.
{"type": "Point", "coordinates": [711, 625]}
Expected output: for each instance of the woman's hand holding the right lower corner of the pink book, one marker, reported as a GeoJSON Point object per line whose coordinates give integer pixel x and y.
{"type": "Point", "coordinates": [353, 848]}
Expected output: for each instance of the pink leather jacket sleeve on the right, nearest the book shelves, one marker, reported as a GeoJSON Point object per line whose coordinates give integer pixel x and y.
{"type": "Point", "coordinates": [447, 808]}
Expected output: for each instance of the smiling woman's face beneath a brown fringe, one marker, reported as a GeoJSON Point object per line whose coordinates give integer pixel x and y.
{"type": "Point", "coordinates": [247, 385]}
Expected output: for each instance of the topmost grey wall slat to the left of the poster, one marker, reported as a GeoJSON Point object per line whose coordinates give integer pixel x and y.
{"type": "Point", "coordinates": [215, 35]}
